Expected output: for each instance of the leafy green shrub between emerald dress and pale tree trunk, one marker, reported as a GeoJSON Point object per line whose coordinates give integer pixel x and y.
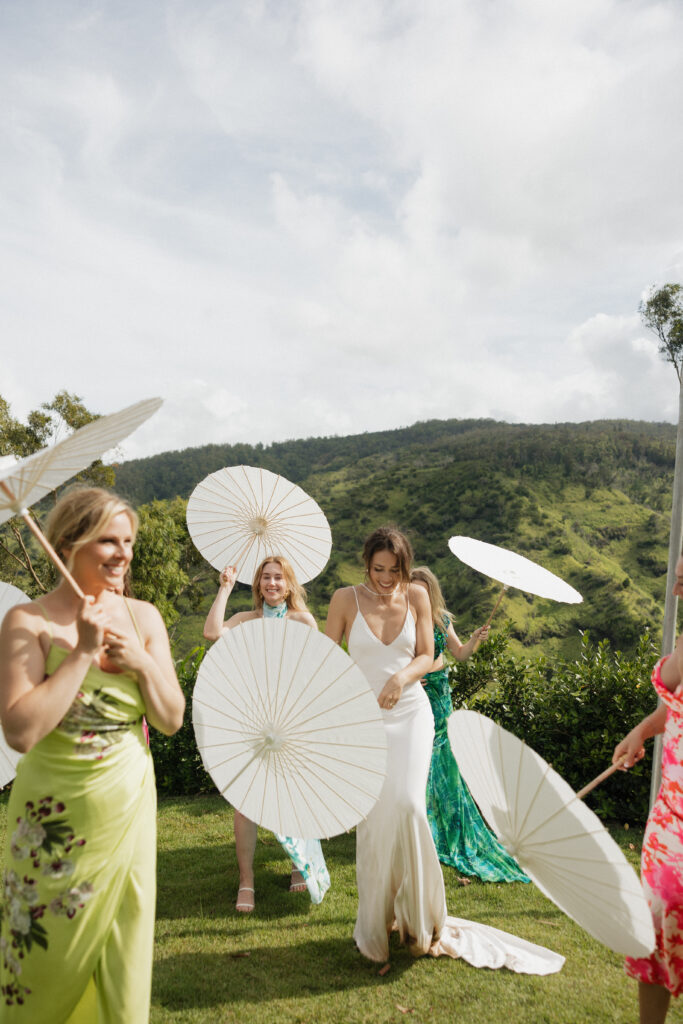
{"type": "Point", "coordinates": [573, 713]}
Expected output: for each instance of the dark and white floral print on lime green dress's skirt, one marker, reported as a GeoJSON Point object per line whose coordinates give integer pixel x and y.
{"type": "Point", "coordinates": [45, 841]}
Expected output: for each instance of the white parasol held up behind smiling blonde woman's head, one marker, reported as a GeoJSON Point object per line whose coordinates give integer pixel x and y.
{"type": "Point", "coordinates": [240, 516]}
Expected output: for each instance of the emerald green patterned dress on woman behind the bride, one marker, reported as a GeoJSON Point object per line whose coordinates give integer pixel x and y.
{"type": "Point", "coordinates": [460, 834]}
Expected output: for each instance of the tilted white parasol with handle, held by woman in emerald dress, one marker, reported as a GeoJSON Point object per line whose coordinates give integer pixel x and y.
{"type": "Point", "coordinates": [513, 570]}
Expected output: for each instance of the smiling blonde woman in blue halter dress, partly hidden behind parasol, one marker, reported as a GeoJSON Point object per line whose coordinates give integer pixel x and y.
{"type": "Point", "coordinates": [276, 594]}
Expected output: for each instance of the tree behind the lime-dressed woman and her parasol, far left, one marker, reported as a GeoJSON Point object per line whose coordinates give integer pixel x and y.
{"type": "Point", "coordinates": [21, 563]}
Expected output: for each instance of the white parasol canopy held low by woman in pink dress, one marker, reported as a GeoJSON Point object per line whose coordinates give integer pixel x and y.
{"type": "Point", "coordinates": [556, 838]}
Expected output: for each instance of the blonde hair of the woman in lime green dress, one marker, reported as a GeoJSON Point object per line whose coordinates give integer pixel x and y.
{"type": "Point", "coordinates": [80, 517]}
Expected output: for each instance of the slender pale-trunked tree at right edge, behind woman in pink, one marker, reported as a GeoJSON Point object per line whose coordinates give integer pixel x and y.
{"type": "Point", "coordinates": [662, 313]}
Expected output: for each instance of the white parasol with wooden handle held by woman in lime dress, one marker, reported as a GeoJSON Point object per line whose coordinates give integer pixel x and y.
{"type": "Point", "coordinates": [25, 483]}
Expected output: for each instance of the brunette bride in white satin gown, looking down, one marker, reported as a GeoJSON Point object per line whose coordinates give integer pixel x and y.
{"type": "Point", "coordinates": [389, 628]}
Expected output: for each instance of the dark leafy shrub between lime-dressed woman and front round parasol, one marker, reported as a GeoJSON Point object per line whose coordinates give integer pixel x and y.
{"type": "Point", "coordinates": [178, 763]}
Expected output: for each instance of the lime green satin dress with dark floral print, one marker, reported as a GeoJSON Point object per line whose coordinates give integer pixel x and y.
{"type": "Point", "coordinates": [79, 871]}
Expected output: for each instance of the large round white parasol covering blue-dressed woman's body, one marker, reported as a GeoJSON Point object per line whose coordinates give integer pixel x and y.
{"type": "Point", "coordinates": [289, 730]}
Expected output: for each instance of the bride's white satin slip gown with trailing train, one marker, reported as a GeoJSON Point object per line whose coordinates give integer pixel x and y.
{"type": "Point", "coordinates": [399, 874]}
